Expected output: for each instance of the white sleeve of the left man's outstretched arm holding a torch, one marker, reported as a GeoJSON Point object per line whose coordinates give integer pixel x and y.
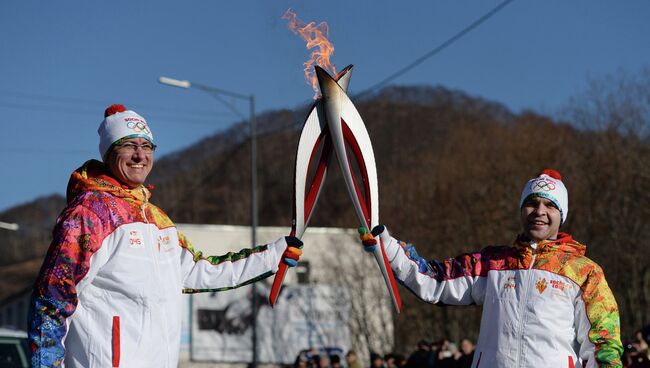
{"type": "Point", "coordinates": [231, 270]}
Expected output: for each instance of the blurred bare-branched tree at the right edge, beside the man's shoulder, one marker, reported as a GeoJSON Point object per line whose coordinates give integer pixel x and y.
{"type": "Point", "coordinates": [615, 114]}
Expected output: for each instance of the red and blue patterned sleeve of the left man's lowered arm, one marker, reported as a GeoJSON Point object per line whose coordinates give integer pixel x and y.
{"type": "Point", "coordinates": [75, 238]}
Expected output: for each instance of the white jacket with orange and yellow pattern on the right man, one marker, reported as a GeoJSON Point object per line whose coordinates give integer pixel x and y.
{"type": "Point", "coordinates": [544, 304]}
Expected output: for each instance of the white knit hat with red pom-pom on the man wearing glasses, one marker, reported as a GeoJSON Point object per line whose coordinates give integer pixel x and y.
{"type": "Point", "coordinates": [121, 123]}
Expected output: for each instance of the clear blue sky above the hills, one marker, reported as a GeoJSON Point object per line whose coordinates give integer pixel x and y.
{"type": "Point", "coordinates": [64, 62]}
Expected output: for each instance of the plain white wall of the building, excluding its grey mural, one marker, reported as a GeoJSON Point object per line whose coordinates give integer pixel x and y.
{"type": "Point", "coordinates": [335, 257]}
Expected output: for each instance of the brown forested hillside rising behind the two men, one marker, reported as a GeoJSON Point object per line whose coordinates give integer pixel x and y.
{"type": "Point", "coordinates": [451, 170]}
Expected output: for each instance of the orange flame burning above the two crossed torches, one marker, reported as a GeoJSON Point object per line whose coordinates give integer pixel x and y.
{"type": "Point", "coordinates": [316, 37]}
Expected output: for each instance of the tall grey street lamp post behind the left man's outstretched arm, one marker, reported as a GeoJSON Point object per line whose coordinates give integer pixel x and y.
{"type": "Point", "coordinates": [218, 93]}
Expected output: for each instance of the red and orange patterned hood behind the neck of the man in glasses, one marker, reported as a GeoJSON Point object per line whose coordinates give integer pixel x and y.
{"type": "Point", "coordinates": [93, 175]}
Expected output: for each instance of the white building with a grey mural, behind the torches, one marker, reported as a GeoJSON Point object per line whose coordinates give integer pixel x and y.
{"type": "Point", "coordinates": [332, 262]}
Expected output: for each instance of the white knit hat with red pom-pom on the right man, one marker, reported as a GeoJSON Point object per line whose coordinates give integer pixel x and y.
{"type": "Point", "coordinates": [548, 184]}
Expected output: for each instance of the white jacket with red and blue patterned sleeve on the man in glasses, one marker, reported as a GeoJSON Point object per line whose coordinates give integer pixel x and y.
{"type": "Point", "coordinates": [109, 291]}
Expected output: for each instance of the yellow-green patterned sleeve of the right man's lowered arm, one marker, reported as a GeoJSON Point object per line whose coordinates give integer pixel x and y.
{"type": "Point", "coordinates": [599, 334]}
